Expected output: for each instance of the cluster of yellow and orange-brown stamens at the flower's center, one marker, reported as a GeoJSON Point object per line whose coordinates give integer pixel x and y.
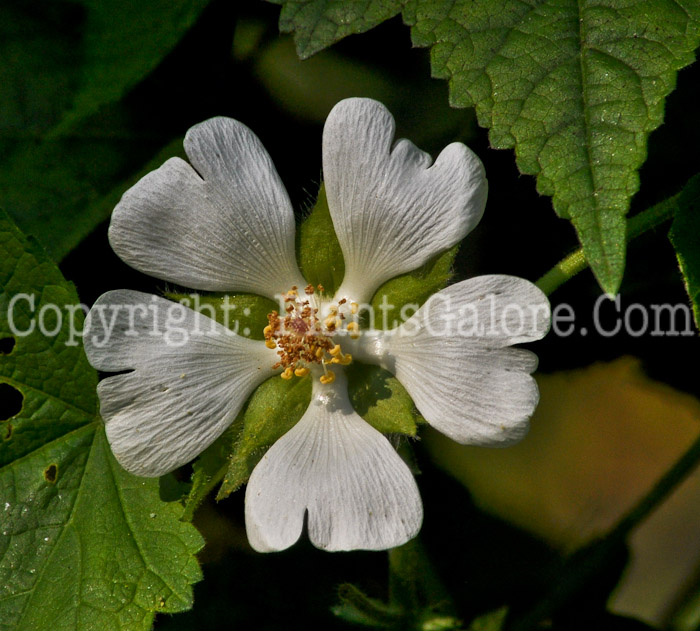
{"type": "Point", "coordinates": [304, 341]}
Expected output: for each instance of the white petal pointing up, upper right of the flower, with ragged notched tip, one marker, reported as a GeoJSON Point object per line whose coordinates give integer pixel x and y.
{"type": "Point", "coordinates": [392, 210]}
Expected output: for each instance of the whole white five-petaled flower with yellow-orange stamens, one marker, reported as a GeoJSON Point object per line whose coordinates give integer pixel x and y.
{"type": "Point", "coordinates": [226, 224]}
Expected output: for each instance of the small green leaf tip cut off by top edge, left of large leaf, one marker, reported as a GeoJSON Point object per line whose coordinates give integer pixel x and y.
{"type": "Point", "coordinates": [319, 23]}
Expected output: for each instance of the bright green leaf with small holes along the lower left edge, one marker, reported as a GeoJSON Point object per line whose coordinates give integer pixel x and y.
{"type": "Point", "coordinates": [84, 544]}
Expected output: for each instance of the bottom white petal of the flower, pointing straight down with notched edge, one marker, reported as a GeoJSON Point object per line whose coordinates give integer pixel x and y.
{"type": "Point", "coordinates": [358, 492]}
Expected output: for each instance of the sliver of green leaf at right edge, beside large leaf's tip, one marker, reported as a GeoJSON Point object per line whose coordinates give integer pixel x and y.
{"type": "Point", "coordinates": [685, 237]}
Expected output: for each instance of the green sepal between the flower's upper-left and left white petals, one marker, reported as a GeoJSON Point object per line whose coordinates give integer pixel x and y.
{"type": "Point", "coordinates": [245, 314]}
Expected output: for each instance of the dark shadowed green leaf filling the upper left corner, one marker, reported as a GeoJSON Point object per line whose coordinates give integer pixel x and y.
{"type": "Point", "coordinates": [65, 144]}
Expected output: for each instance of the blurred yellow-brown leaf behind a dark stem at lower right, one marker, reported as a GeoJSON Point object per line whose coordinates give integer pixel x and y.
{"type": "Point", "coordinates": [600, 438]}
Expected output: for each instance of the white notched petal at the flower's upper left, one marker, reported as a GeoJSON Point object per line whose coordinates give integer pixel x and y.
{"type": "Point", "coordinates": [228, 226]}
